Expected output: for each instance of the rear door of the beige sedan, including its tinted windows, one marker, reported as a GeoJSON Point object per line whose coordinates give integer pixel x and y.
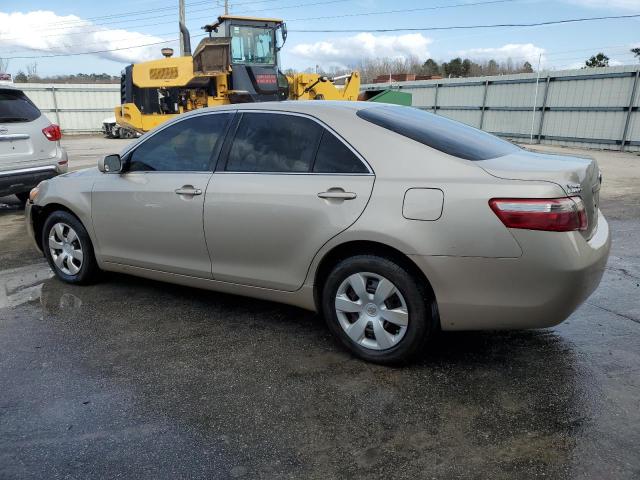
{"type": "Point", "coordinates": [285, 186]}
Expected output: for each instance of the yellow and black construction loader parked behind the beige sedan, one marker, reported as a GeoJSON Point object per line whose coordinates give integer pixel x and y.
{"type": "Point", "coordinates": [238, 62]}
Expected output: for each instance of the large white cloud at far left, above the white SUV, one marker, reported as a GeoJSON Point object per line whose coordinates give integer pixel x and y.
{"type": "Point", "coordinates": [45, 31]}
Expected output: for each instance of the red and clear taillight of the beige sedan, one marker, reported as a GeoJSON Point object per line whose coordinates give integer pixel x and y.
{"type": "Point", "coordinates": [551, 214]}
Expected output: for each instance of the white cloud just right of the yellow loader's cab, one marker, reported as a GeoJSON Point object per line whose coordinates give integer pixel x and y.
{"type": "Point", "coordinates": [347, 51]}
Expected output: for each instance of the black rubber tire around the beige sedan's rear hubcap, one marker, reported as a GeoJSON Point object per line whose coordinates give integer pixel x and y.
{"type": "Point", "coordinates": [421, 307]}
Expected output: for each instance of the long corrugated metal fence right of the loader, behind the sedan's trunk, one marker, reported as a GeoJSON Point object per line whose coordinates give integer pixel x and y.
{"type": "Point", "coordinates": [593, 108]}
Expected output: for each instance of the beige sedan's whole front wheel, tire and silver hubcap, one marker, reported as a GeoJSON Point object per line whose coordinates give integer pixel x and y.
{"type": "Point", "coordinates": [68, 248]}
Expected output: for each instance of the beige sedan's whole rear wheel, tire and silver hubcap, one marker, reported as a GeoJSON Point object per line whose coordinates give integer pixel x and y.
{"type": "Point", "coordinates": [378, 309]}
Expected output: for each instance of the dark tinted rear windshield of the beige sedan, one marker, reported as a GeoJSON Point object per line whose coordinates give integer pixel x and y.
{"type": "Point", "coordinates": [437, 132]}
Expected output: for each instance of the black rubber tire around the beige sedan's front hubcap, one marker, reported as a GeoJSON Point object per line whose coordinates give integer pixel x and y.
{"type": "Point", "coordinates": [88, 270]}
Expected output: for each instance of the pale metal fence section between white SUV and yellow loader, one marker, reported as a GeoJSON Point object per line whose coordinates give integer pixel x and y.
{"type": "Point", "coordinates": [77, 108]}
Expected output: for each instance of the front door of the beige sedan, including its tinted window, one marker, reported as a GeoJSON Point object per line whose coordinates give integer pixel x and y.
{"type": "Point", "coordinates": [150, 215]}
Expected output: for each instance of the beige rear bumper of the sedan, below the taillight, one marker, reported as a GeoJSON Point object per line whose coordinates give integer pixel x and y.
{"type": "Point", "coordinates": [557, 272]}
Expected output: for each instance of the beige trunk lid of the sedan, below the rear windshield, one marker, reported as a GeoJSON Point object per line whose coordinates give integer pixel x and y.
{"type": "Point", "coordinates": [578, 176]}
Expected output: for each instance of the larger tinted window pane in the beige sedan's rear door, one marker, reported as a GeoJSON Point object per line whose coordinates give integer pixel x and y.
{"type": "Point", "coordinates": [271, 142]}
